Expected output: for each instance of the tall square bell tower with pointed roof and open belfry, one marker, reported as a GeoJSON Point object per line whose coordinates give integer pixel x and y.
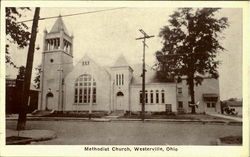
{"type": "Point", "coordinates": [57, 62]}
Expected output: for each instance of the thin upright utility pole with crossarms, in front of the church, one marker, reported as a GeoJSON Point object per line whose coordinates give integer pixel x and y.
{"type": "Point", "coordinates": [145, 36]}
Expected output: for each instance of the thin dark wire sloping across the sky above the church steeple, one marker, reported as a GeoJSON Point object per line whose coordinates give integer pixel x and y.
{"type": "Point", "coordinates": [89, 12]}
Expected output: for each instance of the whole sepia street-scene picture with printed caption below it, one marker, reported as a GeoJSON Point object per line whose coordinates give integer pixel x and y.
{"type": "Point", "coordinates": [123, 79]}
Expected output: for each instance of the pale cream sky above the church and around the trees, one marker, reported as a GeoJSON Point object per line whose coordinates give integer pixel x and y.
{"type": "Point", "coordinates": [106, 35]}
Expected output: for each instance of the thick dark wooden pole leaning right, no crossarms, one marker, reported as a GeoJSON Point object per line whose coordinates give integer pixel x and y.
{"type": "Point", "coordinates": [29, 64]}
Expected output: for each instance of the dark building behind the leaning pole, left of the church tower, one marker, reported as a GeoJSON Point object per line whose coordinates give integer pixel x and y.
{"type": "Point", "coordinates": [14, 96]}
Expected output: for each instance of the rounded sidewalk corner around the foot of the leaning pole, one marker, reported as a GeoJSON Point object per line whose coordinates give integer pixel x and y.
{"type": "Point", "coordinates": [30, 135]}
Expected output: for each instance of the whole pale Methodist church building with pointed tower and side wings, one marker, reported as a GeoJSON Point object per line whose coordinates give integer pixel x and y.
{"type": "Point", "coordinates": [88, 84]}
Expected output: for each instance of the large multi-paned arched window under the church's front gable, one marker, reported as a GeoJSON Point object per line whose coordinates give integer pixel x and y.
{"type": "Point", "coordinates": [84, 84]}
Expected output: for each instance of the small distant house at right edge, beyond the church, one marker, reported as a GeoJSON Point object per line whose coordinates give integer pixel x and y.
{"type": "Point", "coordinates": [233, 105]}
